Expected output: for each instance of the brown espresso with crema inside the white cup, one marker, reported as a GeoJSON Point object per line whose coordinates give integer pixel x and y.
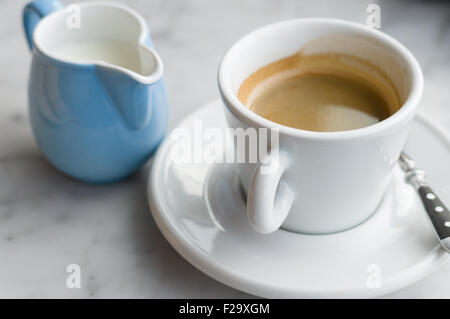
{"type": "Point", "coordinates": [327, 92]}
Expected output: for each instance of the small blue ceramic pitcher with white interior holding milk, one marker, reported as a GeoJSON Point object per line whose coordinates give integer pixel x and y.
{"type": "Point", "coordinates": [97, 99]}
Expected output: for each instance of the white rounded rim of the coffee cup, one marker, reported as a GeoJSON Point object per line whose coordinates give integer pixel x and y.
{"type": "Point", "coordinates": [406, 111]}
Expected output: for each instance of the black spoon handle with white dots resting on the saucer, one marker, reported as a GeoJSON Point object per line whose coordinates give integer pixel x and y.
{"type": "Point", "coordinates": [438, 213]}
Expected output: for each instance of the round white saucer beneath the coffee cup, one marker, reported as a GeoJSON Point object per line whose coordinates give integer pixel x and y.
{"type": "Point", "coordinates": [201, 212]}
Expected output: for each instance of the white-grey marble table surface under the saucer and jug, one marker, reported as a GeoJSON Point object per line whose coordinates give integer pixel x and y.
{"type": "Point", "coordinates": [48, 221]}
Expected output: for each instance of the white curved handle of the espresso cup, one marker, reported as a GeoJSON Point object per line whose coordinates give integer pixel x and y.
{"type": "Point", "coordinates": [269, 198]}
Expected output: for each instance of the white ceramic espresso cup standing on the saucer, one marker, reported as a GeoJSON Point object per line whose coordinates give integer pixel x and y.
{"type": "Point", "coordinates": [325, 181]}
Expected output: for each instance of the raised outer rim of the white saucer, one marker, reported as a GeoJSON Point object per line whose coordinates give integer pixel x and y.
{"type": "Point", "coordinates": [257, 286]}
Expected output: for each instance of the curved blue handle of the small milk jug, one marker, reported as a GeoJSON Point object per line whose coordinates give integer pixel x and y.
{"type": "Point", "coordinates": [33, 12]}
